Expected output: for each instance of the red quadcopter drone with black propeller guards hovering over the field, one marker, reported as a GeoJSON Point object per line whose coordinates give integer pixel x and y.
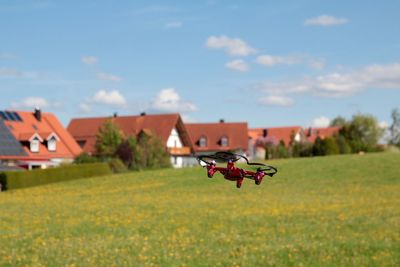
{"type": "Point", "coordinates": [232, 173]}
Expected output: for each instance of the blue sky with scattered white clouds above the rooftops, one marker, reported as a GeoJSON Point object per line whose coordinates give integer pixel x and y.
{"type": "Point", "coordinates": [271, 63]}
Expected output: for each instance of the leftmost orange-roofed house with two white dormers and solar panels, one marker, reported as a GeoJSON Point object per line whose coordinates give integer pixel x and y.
{"type": "Point", "coordinates": [34, 140]}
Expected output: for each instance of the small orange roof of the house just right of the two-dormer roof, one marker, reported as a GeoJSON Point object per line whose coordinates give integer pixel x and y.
{"type": "Point", "coordinates": [274, 134]}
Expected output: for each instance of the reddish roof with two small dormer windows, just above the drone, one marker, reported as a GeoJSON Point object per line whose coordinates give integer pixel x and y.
{"type": "Point", "coordinates": [213, 132]}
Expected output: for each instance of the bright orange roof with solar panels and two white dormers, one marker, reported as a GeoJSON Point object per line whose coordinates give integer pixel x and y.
{"type": "Point", "coordinates": [29, 126]}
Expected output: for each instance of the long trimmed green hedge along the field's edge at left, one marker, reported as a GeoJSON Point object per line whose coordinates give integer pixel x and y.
{"type": "Point", "coordinates": [21, 179]}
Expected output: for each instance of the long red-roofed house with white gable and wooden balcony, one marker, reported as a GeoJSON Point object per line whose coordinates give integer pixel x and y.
{"type": "Point", "coordinates": [169, 127]}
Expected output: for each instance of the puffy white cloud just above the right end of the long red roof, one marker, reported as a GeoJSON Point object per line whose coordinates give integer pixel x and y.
{"type": "Point", "coordinates": [169, 100]}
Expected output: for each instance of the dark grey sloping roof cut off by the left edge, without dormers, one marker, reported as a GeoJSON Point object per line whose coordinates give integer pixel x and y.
{"type": "Point", "coordinates": [9, 145]}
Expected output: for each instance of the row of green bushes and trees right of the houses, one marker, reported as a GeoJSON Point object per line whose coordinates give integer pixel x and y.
{"type": "Point", "coordinates": [360, 134]}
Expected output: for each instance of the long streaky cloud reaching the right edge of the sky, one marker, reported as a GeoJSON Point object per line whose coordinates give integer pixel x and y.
{"type": "Point", "coordinates": [340, 84]}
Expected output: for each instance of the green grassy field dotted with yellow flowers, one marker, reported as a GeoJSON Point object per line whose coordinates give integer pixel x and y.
{"type": "Point", "coordinates": [328, 211]}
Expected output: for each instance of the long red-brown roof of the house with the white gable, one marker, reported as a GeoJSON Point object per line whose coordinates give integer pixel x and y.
{"type": "Point", "coordinates": [85, 129]}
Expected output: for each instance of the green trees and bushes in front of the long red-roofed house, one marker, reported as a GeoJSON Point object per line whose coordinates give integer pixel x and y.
{"type": "Point", "coordinates": [146, 151]}
